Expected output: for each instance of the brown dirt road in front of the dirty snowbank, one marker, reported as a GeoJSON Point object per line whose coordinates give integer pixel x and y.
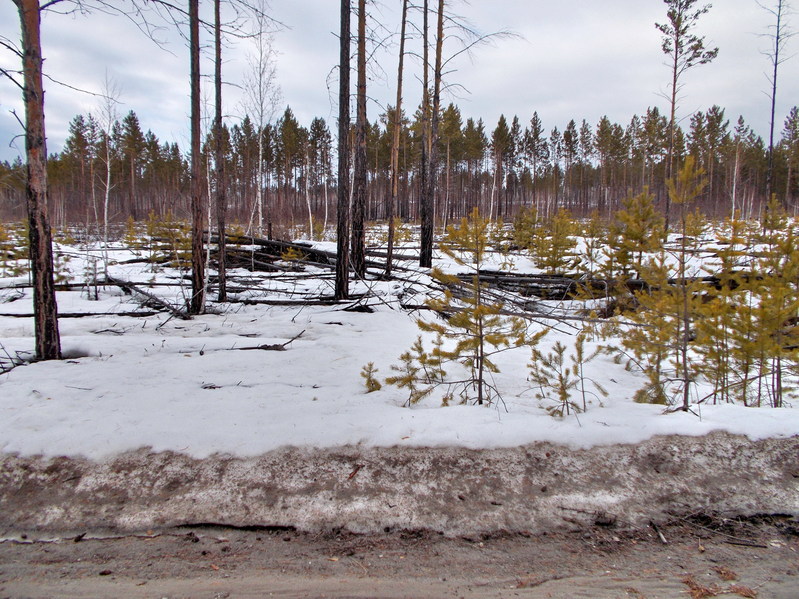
{"type": "Point", "coordinates": [703, 558]}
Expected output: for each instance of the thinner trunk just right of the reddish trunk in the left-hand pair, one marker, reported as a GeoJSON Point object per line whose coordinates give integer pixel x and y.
{"type": "Point", "coordinates": [219, 158]}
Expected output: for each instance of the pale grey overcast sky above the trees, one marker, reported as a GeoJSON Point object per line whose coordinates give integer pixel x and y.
{"type": "Point", "coordinates": [572, 59]}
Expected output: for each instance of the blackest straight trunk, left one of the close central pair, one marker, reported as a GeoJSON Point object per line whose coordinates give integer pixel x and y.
{"type": "Point", "coordinates": [343, 192]}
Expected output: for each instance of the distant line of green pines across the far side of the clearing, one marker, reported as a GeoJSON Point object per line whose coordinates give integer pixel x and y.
{"type": "Point", "coordinates": [582, 167]}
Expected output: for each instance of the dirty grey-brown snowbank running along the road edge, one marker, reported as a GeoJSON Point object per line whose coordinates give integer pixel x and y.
{"type": "Point", "coordinates": [542, 487]}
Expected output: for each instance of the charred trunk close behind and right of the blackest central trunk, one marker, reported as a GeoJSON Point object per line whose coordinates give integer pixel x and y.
{"type": "Point", "coordinates": [359, 191]}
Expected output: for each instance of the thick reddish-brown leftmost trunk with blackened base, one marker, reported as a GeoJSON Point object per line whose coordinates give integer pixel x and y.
{"type": "Point", "coordinates": [48, 340]}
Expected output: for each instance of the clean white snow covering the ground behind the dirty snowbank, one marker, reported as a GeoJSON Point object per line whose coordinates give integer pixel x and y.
{"type": "Point", "coordinates": [190, 387]}
